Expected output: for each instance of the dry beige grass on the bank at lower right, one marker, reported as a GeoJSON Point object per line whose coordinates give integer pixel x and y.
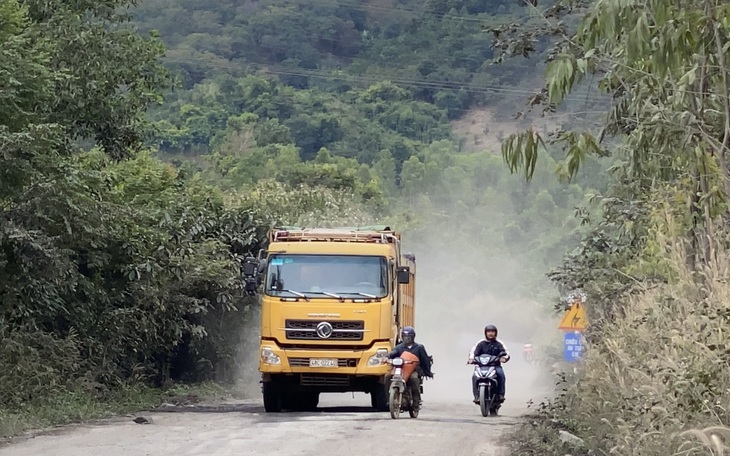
{"type": "Point", "coordinates": [657, 381]}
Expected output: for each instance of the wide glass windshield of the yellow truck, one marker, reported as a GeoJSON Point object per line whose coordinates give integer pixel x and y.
{"type": "Point", "coordinates": [327, 276]}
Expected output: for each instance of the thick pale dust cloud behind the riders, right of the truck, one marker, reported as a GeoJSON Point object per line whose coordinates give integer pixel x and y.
{"type": "Point", "coordinates": [459, 290]}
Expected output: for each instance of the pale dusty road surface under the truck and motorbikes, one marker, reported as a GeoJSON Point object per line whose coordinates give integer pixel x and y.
{"type": "Point", "coordinates": [342, 425]}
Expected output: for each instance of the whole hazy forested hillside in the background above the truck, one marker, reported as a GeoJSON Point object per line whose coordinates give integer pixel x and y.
{"type": "Point", "coordinates": [335, 55]}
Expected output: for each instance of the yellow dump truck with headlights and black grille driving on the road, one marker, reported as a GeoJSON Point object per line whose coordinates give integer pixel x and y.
{"type": "Point", "coordinates": [332, 307]}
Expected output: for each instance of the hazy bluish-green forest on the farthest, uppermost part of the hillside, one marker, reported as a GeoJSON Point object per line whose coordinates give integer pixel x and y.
{"type": "Point", "coordinates": [442, 53]}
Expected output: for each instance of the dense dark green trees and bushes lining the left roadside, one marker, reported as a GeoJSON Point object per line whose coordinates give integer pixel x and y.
{"type": "Point", "coordinates": [112, 271]}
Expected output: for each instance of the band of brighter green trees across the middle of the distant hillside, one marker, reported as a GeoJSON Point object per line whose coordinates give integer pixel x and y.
{"type": "Point", "coordinates": [358, 128]}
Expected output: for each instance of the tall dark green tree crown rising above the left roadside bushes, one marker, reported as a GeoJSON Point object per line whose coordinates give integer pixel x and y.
{"type": "Point", "coordinates": [98, 96]}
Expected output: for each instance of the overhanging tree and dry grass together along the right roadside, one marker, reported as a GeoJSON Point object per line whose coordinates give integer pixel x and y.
{"type": "Point", "coordinates": [655, 378]}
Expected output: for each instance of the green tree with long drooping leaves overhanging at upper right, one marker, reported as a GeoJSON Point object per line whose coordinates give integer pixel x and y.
{"type": "Point", "coordinates": [665, 67]}
